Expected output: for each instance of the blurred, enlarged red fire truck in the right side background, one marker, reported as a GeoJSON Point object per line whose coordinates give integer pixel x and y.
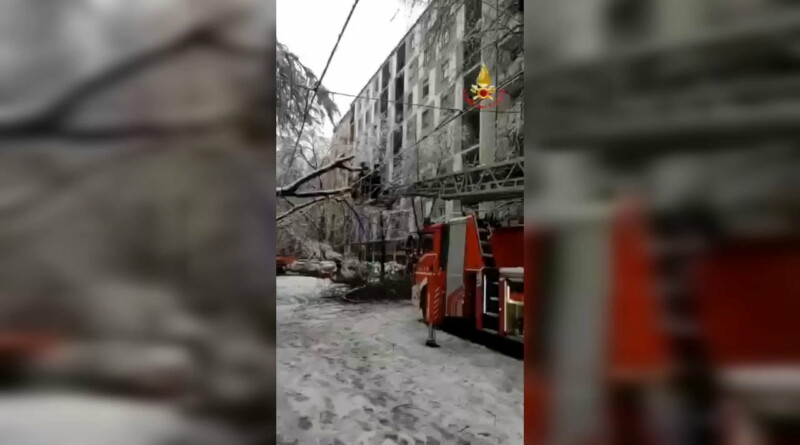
{"type": "Point", "coordinates": [673, 329]}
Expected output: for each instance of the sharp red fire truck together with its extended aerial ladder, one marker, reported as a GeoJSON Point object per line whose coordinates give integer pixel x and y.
{"type": "Point", "coordinates": [467, 269]}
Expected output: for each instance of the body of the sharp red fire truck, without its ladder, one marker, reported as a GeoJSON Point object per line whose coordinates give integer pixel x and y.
{"type": "Point", "coordinates": [471, 270]}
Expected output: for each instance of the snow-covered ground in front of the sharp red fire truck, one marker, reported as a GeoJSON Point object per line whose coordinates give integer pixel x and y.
{"type": "Point", "coordinates": [360, 375]}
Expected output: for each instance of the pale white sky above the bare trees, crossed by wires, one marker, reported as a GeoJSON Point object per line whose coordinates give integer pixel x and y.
{"type": "Point", "coordinates": [310, 27]}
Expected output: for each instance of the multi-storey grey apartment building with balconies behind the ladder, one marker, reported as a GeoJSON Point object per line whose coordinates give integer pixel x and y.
{"type": "Point", "coordinates": [409, 119]}
